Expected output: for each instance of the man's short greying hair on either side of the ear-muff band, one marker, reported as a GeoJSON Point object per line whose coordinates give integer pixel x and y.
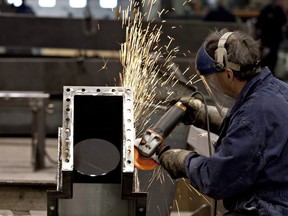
{"type": "Point", "coordinates": [241, 49]}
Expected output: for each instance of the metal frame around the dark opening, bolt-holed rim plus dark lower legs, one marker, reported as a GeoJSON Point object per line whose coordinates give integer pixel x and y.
{"type": "Point", "coordinates": [65, 173]}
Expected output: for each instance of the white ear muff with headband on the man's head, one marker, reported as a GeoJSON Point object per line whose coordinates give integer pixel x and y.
{"type": "Point", "coordinates": [221, 52]}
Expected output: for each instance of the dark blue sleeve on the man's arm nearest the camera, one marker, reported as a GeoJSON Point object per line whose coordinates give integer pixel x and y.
{"type": "Point", "coordinates": [234, 165]}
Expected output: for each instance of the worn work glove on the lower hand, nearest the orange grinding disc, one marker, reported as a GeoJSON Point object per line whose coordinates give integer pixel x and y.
{"type": "Point", "coordinates": [172, 161]}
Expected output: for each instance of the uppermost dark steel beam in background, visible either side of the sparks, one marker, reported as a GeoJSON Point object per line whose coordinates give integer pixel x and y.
{"type": "Point", "coordinates": [21, 31]}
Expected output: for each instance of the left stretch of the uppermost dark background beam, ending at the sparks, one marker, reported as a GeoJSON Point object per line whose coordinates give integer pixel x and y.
{"type": "Point", "coordinates": [26, 31]}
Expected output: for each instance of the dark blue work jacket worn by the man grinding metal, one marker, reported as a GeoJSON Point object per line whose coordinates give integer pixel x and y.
{"type": "Point", "coordinates": [249, 169]}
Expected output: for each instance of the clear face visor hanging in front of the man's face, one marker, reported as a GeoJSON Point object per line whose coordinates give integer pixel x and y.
{"type": "Point", "coordinates": [223, 102]}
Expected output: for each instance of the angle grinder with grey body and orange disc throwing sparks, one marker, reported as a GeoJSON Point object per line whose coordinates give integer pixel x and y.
{"type": "Point", "coordinates": [147, 148]}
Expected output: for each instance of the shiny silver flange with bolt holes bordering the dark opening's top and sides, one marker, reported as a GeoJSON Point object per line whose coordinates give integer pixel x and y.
{"type": "Point", "coordinates": [69, 93]}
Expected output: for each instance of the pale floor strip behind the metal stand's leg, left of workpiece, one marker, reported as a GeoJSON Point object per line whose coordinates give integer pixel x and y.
{"type": "Point", "coordinates": [16, 161]}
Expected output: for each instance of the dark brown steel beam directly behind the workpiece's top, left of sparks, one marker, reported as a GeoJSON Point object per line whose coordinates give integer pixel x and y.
{"type": "Point", "coordinates": [51, 74]}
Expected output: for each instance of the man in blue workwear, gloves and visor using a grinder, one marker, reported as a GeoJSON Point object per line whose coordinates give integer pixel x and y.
{"type": "Point", "coordinates": [249, 168]}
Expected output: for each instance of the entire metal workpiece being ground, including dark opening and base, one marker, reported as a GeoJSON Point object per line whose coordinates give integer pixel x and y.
{"type": "Point", "coordinates": [96, 154]}
